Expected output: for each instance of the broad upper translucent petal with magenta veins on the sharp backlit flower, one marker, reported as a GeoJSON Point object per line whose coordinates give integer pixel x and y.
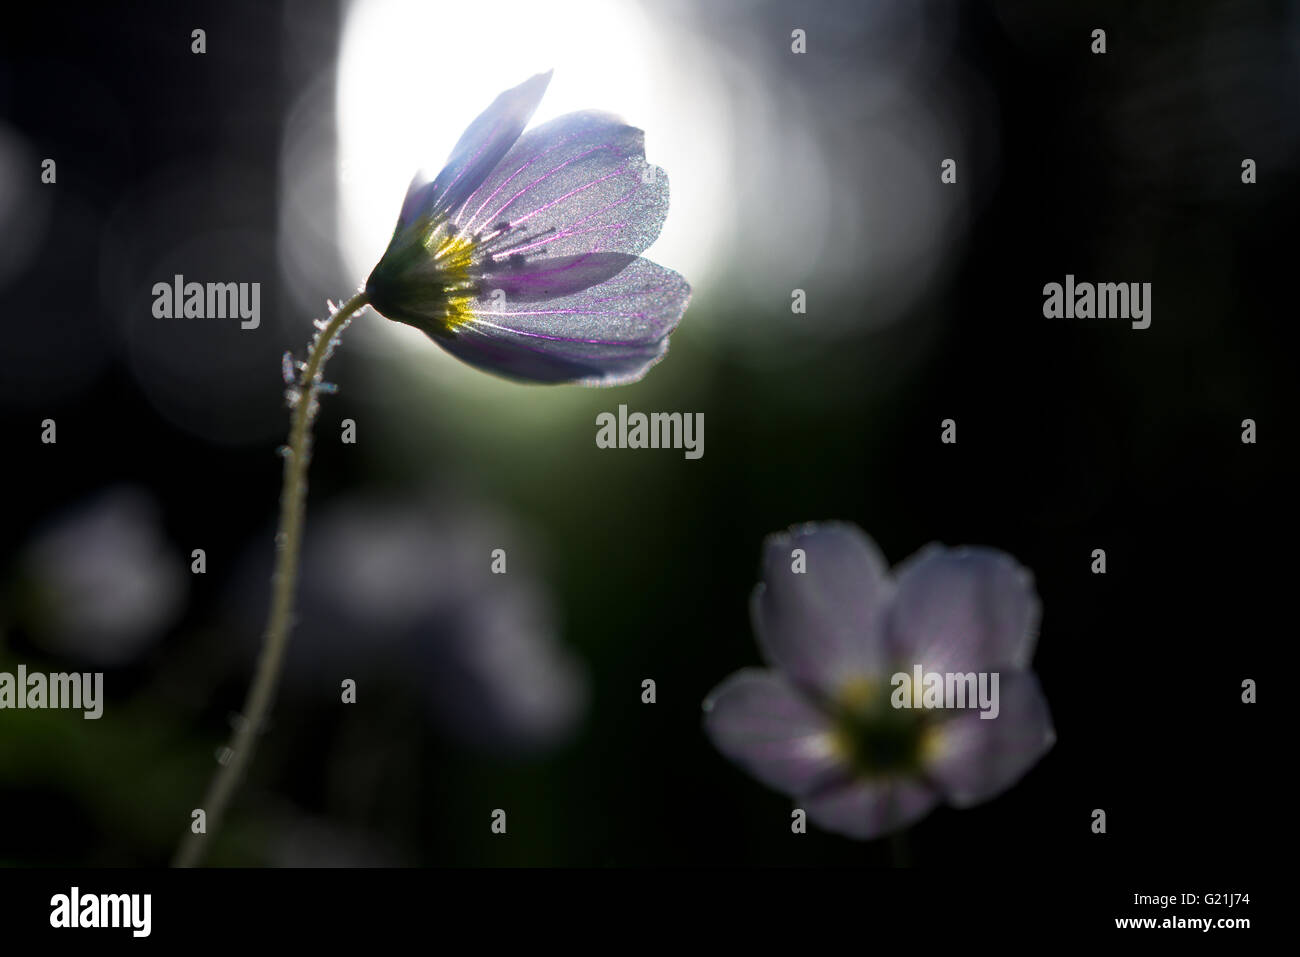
{"type": "Point", "coordinates": [574, 185]}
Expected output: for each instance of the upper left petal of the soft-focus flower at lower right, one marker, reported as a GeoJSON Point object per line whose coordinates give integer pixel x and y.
{"type": "Point", "coordinates": [824, 626]}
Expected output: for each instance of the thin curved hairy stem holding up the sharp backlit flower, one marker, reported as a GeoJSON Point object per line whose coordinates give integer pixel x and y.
{"type": "Point", "coordinates": [236, 757]}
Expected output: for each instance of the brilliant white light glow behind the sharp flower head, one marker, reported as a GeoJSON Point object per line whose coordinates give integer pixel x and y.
{"type": "Point", "coordinates": [414, 75]}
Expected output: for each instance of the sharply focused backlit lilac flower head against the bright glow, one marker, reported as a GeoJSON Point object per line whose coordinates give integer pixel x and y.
{"type": "Point", "coordinates": [523, 258]}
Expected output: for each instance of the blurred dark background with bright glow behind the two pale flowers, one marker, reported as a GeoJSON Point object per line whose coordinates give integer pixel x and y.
{"type": "Point", "coordinates": [280, 157]}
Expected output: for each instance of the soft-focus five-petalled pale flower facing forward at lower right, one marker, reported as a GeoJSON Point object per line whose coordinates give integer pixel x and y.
{"type": "Point", "coordinates": [821, 725]}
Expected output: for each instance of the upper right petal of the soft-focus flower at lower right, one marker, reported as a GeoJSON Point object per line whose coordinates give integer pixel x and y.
{"type": "Point", "coordinates": [960, 610]}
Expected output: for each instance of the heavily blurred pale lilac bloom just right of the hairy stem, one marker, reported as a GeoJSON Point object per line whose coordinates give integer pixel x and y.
{"type": "Point", "coordinates": [404, 591]}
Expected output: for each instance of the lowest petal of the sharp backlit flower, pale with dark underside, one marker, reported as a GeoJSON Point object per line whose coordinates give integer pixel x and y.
{"type": "Point", "coordinates": [606, 335]}
